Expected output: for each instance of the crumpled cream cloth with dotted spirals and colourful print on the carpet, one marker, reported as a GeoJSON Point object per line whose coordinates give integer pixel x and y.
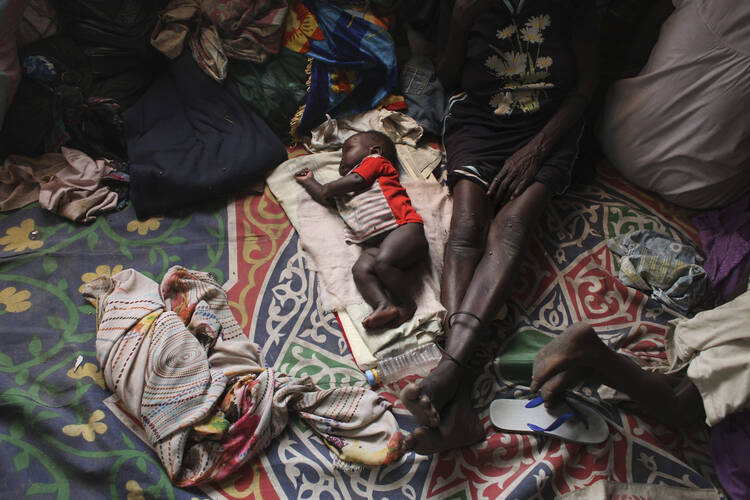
{"type": "Point", "coordinates": [179, 362]}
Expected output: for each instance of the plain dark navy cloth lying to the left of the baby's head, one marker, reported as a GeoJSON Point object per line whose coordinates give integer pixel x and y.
{"type": "Point", "coordinates": [191, 139]}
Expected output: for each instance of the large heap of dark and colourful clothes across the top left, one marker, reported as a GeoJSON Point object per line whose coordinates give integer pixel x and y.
{"type": "Point", "coordinates": [186, 101]}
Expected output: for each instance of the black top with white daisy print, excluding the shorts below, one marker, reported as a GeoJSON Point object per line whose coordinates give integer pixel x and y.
{"type": "Point", "coordinates": [533, 75]}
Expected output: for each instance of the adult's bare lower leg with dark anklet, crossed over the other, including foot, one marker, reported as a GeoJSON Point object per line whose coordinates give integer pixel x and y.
{"type": "Point", "coordinates": [485, 294]}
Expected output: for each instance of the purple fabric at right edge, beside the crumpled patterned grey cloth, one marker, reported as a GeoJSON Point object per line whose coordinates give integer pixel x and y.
{"type": "Point", "coordinates": [725, 237]}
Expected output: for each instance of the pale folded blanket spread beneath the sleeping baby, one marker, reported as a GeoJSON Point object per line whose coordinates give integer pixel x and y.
{"type": "Point", "coordinates": [321, 233]}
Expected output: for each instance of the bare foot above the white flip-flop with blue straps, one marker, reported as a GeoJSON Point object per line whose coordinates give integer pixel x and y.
{"type": "Point", "coordinates": [565, 361]}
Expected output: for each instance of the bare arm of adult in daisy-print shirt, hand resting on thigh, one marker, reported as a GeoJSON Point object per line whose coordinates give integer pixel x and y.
{"type": "Point", "coordinates": [519, 170]}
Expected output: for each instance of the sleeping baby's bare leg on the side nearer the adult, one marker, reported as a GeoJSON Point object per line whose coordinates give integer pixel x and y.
{"type": "Point", "coordinates": [400, 249]}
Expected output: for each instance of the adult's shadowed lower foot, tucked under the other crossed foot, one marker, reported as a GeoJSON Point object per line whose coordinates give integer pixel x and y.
{"type": "Point", "coordinates": [459, 427]}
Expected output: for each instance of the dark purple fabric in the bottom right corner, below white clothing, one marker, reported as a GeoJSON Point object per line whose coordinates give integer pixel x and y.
{"type": "Point", "coordinates": [730, 450]}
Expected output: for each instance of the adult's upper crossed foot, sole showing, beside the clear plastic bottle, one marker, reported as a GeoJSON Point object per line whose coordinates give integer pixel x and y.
{"type": "Point", "coordinates": [426, 398]}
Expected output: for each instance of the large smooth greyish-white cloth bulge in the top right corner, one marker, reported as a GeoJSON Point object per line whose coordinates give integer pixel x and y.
{"type": "Point", "coordinates": [681, 128]}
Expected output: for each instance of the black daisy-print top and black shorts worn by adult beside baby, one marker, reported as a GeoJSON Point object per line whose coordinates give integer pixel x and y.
{"type": "Point", "coordinates": [519, 67]}
